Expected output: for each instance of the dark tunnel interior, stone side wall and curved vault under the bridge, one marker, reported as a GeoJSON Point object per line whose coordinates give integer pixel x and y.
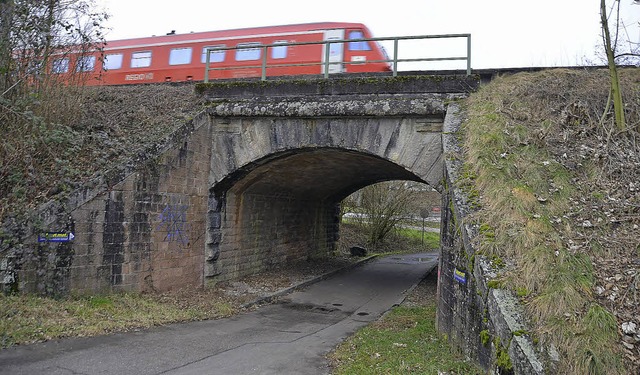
{"type": "Point", "coordinates": [286, 208]}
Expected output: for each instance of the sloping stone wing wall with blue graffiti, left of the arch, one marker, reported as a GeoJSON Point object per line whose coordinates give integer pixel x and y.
{"type": "Point", "coordinates": [141, 233]}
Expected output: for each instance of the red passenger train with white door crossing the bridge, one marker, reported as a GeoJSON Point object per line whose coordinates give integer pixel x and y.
{"type": "Point", "coordinates": [236, 54]}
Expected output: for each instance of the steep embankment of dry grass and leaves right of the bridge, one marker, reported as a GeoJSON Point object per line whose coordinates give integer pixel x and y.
{"type": "Point", "coordinates": [544, 202]}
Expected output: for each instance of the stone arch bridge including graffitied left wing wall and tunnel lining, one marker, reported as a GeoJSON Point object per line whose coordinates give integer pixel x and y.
{"type": "Point", "coordinates": [252, 181]}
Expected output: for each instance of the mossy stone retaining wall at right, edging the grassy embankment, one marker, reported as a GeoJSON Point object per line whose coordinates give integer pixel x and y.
{"type": "Point", "coordinates": [486, 324]}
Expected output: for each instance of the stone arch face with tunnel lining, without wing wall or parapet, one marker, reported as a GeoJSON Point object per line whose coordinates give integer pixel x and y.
{"type": "Point", "coordinates": [276, 181]}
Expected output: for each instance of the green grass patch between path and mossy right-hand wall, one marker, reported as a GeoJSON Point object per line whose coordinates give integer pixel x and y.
{"type": "Point", "coordinates": [405, 341]}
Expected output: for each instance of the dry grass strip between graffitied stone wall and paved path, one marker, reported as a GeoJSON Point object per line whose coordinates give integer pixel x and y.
{"type": "Point", "coordinates": [27, 319]}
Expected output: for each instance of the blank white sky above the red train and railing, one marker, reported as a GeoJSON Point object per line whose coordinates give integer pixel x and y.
{"type": "Point", "coordinates": [505, 33]}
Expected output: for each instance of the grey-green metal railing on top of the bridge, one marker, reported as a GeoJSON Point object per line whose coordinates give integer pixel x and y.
{"type": "Point", "coordinates": [394, 61]}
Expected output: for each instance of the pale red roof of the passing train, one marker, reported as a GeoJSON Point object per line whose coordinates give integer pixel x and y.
{"type": "Point", "coordinates": [230, 34]}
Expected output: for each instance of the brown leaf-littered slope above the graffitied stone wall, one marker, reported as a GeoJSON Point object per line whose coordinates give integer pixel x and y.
{"type": "Point", "coordinates": [61, 139]}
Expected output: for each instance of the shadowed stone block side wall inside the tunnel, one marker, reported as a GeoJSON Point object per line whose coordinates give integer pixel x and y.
{"type": "Point", "coordinates": [263, 231]}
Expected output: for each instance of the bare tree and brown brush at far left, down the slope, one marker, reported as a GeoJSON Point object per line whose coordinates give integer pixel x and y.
{"type": "Point", "coordinates": [36, 106]}
